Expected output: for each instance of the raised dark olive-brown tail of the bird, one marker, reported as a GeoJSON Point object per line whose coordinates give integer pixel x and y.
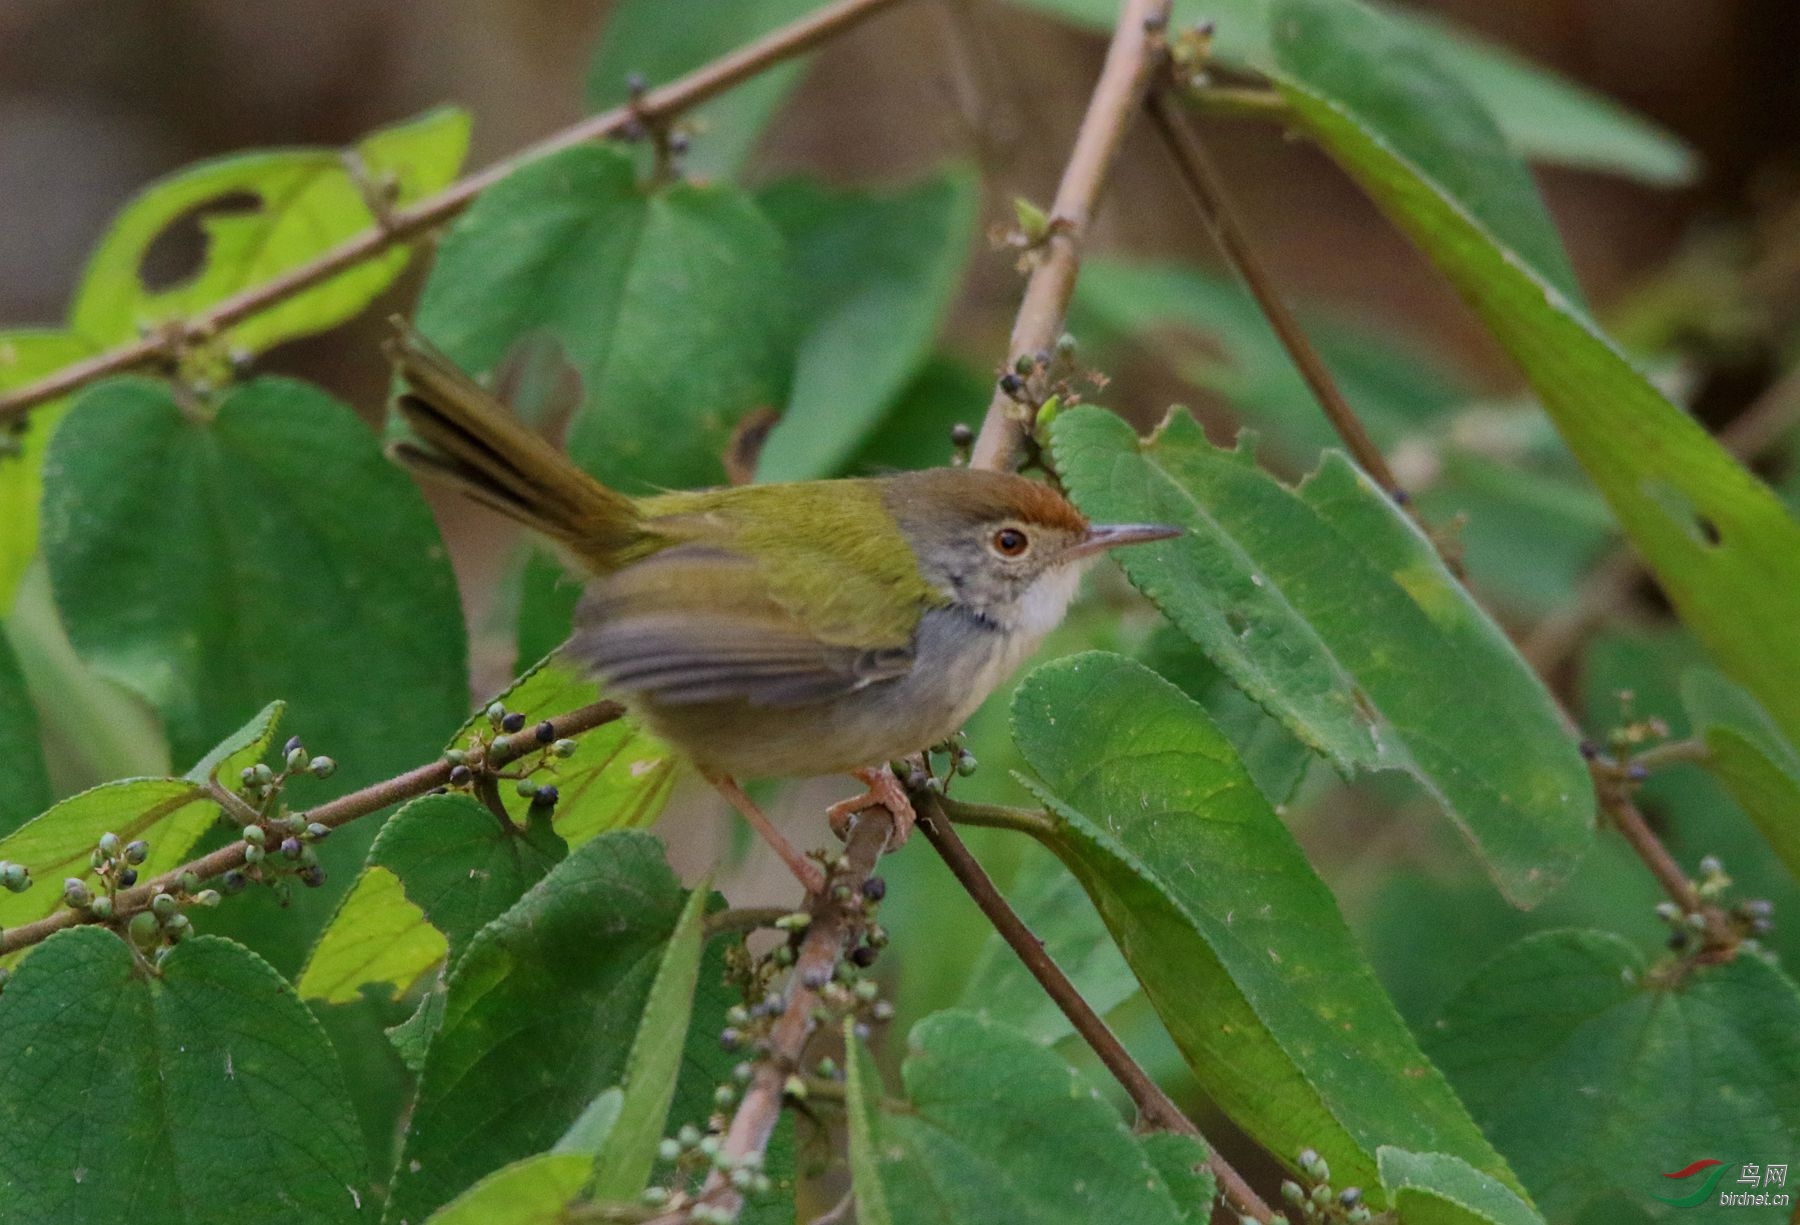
{"type": "Point", "coordinates": [469, 440]}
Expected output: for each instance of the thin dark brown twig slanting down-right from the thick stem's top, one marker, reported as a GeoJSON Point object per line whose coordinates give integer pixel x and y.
{"type": "Point", "coordinates": [1209, 195]}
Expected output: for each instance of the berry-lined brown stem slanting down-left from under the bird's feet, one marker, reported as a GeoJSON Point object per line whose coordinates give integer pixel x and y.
{"type": "Point", "coordinates": [838, 915]}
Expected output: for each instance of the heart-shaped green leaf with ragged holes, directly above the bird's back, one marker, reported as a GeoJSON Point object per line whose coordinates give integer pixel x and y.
{"type": "Point", "coordinates": [672, 303]}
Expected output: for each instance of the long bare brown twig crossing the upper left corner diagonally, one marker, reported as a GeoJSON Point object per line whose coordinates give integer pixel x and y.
{"type": "Point", "coordinates": [406, 224]}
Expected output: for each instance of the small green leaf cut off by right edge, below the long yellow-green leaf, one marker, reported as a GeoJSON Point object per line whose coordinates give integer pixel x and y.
{"type": "Point", "coordinates": [1747, 753]}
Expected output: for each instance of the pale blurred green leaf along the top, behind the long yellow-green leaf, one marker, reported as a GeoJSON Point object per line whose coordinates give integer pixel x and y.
{"type": "Point", "coordinates": [1542, 114]}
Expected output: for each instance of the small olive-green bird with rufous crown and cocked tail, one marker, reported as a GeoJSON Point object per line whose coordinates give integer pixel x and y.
{"type": "Point", "coordinates": [777, 630]}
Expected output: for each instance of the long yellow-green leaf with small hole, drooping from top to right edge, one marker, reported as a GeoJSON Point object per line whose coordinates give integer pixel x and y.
{"type": "Point", "coordinates": [1720, 542]}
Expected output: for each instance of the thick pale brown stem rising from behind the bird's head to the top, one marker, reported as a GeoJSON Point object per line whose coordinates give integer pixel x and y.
{"type": "Point", "coordinates": [1126, 78]}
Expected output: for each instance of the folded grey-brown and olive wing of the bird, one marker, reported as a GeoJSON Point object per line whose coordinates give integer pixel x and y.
{"type": "Point", "coordinates": [696, 623]}
